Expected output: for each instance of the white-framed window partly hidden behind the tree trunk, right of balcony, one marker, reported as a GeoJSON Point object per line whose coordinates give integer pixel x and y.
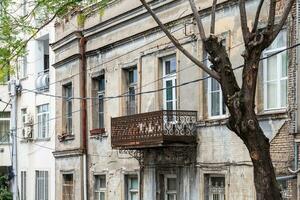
{"type": "Point", "coordinates": [215, 101]}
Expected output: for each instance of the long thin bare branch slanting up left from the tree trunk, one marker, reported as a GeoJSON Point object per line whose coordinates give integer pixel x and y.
{"type": "Point", "coordinates": [213, 74]}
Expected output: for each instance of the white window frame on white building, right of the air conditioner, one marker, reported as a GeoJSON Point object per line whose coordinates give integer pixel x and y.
{"type": "Point", "coordinates": [40, 124]}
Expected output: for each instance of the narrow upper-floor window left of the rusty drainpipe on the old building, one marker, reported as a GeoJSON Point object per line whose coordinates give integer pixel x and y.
{"type": "Point", "coordinates": [68, 108]}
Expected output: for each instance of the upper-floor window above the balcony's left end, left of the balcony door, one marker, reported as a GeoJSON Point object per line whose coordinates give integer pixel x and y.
{"type": "Point", "coordinates": [131, 77]}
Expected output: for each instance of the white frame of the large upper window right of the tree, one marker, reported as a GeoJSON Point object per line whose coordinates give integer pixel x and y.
{"type": "Point", "coordinates": [279, 77]}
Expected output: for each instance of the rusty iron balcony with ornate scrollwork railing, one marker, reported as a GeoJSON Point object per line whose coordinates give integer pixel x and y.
{"type": "Point", "coordinates": [154, 129]}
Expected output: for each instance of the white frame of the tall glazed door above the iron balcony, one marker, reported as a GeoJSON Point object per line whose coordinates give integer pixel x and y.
{"type": "Point", "coordinates": [169, 77]}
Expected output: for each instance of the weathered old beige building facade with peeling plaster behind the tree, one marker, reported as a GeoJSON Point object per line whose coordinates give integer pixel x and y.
{"type": "Point", "coordinates": [136, 119]}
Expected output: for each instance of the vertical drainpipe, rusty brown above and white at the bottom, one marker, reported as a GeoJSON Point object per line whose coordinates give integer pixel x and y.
{"type": "Point", "coordinates": [84, 146]}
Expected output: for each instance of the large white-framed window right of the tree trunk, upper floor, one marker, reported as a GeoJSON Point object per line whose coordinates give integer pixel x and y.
{"type": "Point", "coordinates": [275, 74]}
